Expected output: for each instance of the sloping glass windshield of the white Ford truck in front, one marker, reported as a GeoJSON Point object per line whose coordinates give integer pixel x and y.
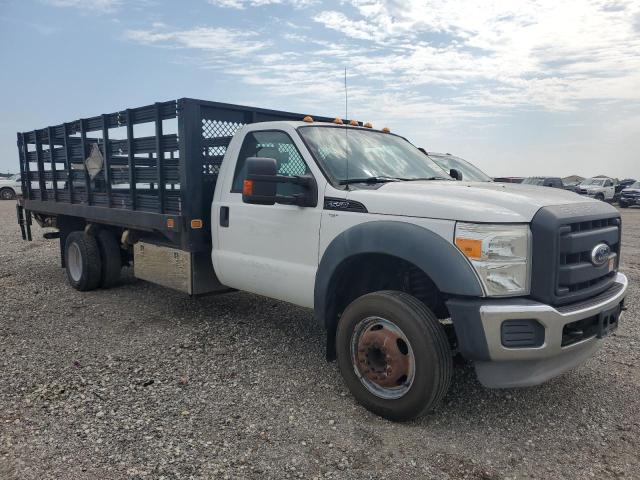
{"type": "Point", "coordinates": [370, 154]}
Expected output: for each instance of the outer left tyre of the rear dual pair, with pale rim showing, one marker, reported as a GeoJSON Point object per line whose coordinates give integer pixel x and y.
{"type": "Point", "coordinates": [82, 261]}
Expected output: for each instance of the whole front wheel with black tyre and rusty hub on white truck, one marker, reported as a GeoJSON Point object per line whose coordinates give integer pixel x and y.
{"type": "Point", "coordinates": [394, 355]}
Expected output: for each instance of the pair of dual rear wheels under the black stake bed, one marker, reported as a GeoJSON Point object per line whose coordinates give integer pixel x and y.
{"type": "Point", "coordinates": [92, 261]}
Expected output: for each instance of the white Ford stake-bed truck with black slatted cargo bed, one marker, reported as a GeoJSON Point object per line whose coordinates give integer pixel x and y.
{"type": "Point", "coordinates": [403, 266]}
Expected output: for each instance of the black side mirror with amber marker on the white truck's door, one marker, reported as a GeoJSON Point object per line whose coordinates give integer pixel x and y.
{"type": "Point", "coordinates": [261, 184]}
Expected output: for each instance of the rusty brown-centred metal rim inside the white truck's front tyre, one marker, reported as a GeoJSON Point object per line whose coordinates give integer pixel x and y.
{"type": "Point", "coordinates": [382, 357]}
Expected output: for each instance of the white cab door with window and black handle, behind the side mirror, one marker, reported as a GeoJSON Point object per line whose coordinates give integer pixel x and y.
{"type": "Point", "coordinates": [270, 250]}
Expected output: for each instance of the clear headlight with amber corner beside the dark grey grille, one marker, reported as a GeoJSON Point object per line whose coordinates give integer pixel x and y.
{"type": "Point", "coordinates": [500, 254]}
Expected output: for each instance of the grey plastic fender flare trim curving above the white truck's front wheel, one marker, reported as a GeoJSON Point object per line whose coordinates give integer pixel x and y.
{"type": "Point", "coordinates": [439, 259]}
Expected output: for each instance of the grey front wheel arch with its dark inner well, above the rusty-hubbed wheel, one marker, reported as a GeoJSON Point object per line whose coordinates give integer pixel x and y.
{"type": "Point", "coordinates": [378, 249]}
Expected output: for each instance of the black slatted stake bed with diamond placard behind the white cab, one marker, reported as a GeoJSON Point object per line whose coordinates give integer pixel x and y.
{"type": "Point", "coordinates": [152, 168]}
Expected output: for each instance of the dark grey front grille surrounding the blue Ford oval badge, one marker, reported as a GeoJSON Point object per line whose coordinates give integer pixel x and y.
{"type": "Point", "coordinates": [563, 239]}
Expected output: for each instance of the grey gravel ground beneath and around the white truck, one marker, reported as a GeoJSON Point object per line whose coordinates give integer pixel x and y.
{"type": "Point", "coordinates": [141, 382]}
